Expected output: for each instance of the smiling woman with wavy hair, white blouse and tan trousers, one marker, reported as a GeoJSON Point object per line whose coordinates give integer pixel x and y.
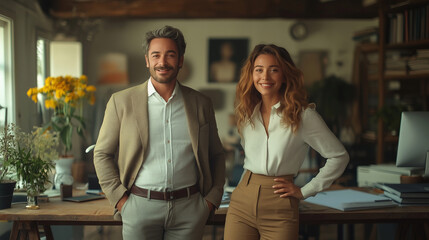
{"type": "Point", "coordinates": [277, 126]}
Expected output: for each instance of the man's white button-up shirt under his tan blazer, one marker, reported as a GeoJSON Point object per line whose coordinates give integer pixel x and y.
{"type": "Point", "coordinates": [170, 162]}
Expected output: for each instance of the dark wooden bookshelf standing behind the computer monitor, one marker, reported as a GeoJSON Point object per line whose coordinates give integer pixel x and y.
{"type": "Point", "coordinates": [374, 93]}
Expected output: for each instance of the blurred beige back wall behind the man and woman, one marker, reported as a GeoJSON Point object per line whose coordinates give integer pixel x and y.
{"type": "Point", "coordinates": [126, 36]}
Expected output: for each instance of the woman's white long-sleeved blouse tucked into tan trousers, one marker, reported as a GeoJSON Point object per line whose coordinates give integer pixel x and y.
{"type": "Point", "coordinates": [282, 152]}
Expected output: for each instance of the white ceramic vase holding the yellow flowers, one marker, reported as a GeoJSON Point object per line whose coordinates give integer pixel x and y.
{"type": "Point", "coordinates": [63, 173]}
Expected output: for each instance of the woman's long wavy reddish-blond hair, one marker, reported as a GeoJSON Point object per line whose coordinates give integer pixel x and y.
{"type": "Point", "coordinates": [293, 96]}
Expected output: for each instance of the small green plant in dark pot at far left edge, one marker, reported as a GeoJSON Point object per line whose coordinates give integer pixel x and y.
{"type": "Point", "coordinates": [7, 176]}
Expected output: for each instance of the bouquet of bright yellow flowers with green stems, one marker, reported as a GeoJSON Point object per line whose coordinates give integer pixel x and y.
{"type": "Point", "coordinates": [65, 95]}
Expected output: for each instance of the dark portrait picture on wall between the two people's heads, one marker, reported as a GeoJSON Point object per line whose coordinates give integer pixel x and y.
{"type": "Point", "coordinates": [226, 57]}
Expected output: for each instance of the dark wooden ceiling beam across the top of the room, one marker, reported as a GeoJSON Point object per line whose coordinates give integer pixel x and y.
{"type": "Point", "coordinates": [67, 9]}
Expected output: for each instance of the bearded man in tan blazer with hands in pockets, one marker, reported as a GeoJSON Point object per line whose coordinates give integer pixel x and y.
{"type": "Point", "coordinates": [170, 166]}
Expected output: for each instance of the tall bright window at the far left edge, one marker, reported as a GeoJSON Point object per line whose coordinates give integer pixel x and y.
{"type": "Point", "coordinates": [6, 77]}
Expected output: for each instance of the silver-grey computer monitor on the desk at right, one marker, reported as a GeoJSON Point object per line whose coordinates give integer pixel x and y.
{"type": "Point", "coordinates": [413, 144]}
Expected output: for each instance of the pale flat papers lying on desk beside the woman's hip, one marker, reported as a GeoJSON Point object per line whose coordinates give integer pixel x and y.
{"type": "Point", "coordinates": [349, 200]}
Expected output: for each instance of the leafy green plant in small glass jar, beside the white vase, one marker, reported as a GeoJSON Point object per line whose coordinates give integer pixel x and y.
{"type": "Point", "coordinates": [31, 157]}
